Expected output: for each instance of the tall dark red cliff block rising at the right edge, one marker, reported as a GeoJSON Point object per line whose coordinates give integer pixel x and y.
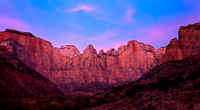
{"type": "Point", "coordinates": [187, 45]}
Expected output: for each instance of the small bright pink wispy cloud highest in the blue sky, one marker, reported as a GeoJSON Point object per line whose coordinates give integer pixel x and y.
{"type": "Point", "coordinates": [86, 8]}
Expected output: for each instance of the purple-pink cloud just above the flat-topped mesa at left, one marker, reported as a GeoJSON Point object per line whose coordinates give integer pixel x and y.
{"type": "Point", "coordinates": [8, 22]}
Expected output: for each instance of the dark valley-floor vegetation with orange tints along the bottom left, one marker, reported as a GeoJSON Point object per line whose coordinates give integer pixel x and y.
{"type": "Point", "coordinates": [52, 102]}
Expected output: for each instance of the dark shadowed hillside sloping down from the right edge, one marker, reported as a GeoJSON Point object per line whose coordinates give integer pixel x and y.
{"type": "Point", "coordinates": [173, 85]}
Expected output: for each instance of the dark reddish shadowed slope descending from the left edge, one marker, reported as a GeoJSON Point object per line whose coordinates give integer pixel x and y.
{"type": "Point", "coordinates": [18, 80]}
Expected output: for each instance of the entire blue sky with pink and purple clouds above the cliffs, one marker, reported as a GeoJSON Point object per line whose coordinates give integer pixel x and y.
{"type": "Point", "coordinates": [103, 23]}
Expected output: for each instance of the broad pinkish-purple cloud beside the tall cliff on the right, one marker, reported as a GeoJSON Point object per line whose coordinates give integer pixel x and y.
{"type": "Point", "coordinates": [163, 32]}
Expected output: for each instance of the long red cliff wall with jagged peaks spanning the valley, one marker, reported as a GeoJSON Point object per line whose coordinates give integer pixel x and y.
{"type": "Point", "coordinates": [73, 71]}
